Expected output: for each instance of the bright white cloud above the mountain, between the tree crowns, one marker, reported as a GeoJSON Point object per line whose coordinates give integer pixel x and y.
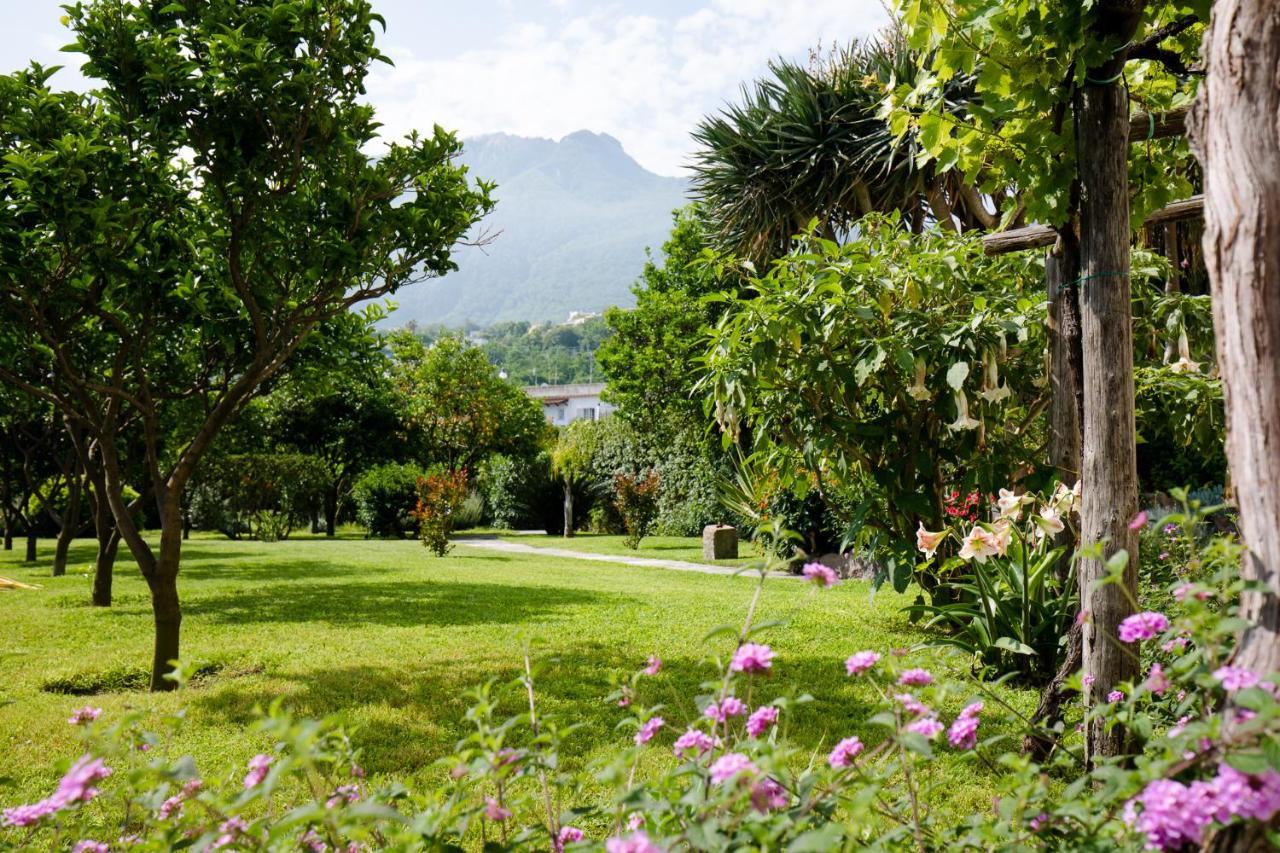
{"type": "Point", "coordinates": [646, 80]}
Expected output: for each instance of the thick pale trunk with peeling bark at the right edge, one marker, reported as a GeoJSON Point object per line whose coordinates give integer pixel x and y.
{"type": "Point", "coordinates": [1235, 134]}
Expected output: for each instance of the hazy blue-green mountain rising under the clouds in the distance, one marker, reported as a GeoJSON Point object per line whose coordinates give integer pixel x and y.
{"type": "Point", "coordinates": [573, 223]}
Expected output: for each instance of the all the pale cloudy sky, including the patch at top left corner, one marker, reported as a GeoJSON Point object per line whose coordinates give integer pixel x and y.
{"type": "Point", "coordinates": [644, 71]}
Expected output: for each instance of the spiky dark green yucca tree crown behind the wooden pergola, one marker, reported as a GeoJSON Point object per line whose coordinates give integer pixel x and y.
{"type": "Point", "coordinates": [808, 143]}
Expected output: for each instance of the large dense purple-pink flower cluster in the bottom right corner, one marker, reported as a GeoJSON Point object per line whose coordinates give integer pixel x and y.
{"type": "Point", "coordinates": [1174, 815]}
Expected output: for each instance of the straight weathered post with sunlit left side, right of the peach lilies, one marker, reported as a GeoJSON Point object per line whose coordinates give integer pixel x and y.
{"type": "Point", "coordinates": [1110, 472]}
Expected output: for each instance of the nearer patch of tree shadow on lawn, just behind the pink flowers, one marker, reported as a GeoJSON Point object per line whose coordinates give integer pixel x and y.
{"type": "Point", "coordinates": [417, 717]}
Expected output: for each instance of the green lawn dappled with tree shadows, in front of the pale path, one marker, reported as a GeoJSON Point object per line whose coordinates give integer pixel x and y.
{"type": "Point", "coordinates": [390, 640]}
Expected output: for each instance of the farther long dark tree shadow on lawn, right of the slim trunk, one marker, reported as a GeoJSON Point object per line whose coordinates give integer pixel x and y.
{"type": "Point", "coordinates": [426, 601]}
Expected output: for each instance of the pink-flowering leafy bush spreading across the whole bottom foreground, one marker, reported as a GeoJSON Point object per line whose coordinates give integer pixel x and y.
{"type": "Point", "coordinates": [733, 777]}
